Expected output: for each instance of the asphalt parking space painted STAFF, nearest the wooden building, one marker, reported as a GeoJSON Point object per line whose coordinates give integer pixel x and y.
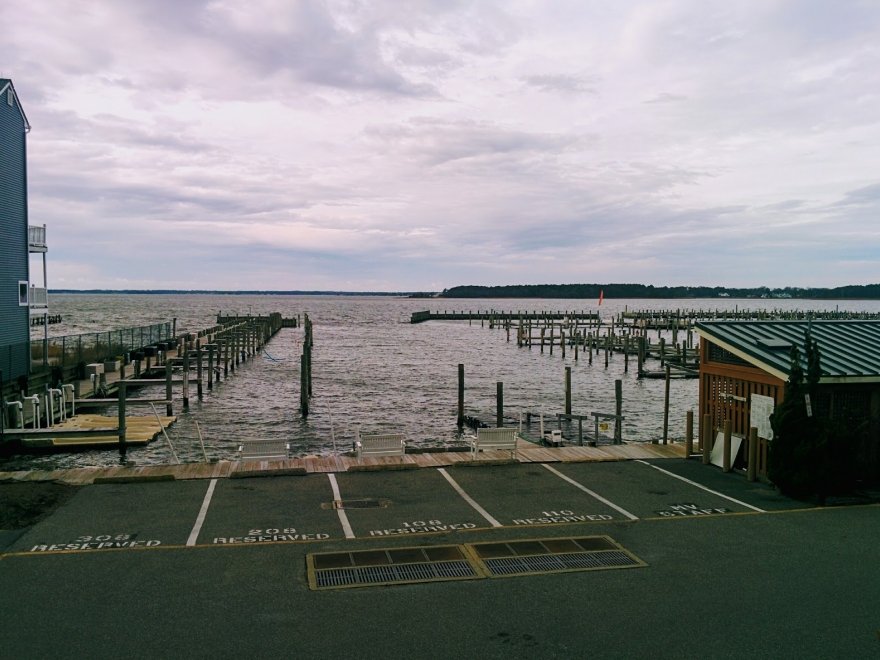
{"type": "Point", "coordinates": [650, 493]}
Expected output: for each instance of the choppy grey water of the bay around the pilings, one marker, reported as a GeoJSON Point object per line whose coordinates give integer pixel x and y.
{"type": "Point", "coordinates": [372, 369]}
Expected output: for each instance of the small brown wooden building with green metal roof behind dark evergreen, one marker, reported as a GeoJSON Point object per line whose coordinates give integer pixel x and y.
{"type": "Point", "coordinates": [744, 366]}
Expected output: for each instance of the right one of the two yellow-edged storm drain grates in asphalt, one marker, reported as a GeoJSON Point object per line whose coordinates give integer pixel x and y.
{"type": "Point", "coordinates": [553, 556]}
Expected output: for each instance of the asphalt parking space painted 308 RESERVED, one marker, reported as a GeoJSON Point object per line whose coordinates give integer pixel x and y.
{"type": "Point", "coordinates": [119, 516]}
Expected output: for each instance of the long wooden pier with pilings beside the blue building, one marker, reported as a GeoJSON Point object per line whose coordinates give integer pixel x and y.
{"type": "Point", "coordinates": [54, 417]}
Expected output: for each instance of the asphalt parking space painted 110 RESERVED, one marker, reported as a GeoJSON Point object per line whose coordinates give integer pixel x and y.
{"type": "Point", "coordinates": [517, 495]}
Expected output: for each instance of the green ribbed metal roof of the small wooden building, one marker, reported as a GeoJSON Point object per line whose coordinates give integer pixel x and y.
{"type": "Point", "coordinates": [849, 350]}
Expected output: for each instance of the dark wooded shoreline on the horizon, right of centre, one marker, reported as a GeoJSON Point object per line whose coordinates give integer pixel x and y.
{"type": "Point", "coordinates": [592, 291]}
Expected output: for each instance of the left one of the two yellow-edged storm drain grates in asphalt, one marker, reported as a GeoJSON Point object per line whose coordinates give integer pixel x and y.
{"type": "Point", "coordinates": [391, 566]}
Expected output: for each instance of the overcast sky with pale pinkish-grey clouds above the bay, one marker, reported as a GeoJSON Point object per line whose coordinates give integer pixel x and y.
{"type": "Point", "coordinates": [391, 145]}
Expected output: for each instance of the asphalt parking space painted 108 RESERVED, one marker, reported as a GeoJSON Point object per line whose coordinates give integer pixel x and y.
{"type": "Point", "coordinates": [404, 502]}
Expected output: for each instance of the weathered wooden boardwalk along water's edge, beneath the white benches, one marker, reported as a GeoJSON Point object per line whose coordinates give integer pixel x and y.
{"type": "Point", "coordinates": [341, 463]}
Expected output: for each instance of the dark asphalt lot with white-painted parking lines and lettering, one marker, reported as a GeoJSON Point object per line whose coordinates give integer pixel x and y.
{"type": "Point", "coordinates": [721, 568]}
